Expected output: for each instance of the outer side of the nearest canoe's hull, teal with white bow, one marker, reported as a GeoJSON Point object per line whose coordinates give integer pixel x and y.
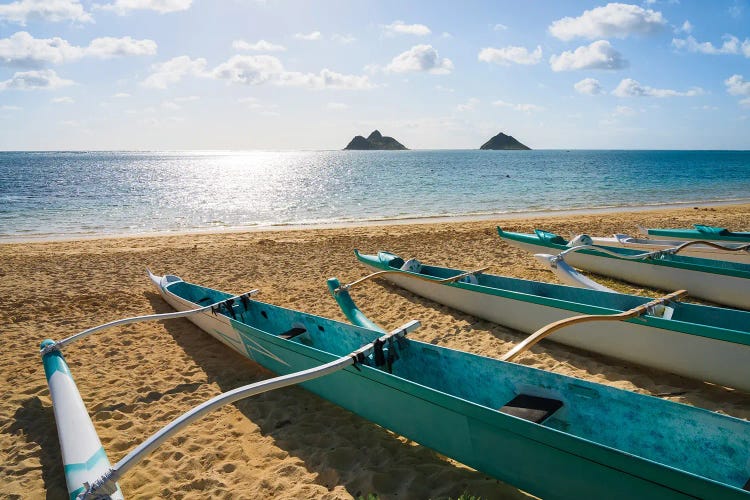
{"type": "Point", "coordinates": [537, 459]}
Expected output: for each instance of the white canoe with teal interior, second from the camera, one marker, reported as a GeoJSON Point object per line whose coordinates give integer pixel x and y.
{"type": "Point", "coordinates": [695, 341]}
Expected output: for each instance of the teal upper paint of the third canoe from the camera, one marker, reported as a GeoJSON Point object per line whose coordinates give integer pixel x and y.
{"type": "Point", "coordinates": [726, 268]}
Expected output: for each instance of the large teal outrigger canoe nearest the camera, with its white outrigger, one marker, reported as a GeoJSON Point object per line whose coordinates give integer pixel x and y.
{"type": "Point", "coordinates": [552, 435]}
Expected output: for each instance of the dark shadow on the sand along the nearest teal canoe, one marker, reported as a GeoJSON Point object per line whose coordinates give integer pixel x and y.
{"type": "Point", "coordinates": [299, 422]}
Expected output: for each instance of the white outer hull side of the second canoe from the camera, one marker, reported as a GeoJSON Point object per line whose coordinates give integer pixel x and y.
{"type": "Point", "coordinates": [692, 356]}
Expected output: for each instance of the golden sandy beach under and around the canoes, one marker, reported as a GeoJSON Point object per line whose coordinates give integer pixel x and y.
{"type": "Point", "coordinates": [289, 443]}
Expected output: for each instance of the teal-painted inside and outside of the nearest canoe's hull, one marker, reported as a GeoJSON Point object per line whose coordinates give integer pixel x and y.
{"type": "Point", "coordinates": [603, 443]}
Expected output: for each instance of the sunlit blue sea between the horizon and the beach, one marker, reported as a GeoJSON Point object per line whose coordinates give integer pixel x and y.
{"type": "Point", "coordinates": [52, 194]}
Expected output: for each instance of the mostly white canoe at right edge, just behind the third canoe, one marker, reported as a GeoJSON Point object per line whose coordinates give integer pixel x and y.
{"type": "Point", "coordinates": [735, 252]}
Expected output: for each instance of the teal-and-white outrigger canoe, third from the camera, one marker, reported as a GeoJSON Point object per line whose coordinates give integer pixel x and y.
{"type": "Point", "coordinates": [717, 281]}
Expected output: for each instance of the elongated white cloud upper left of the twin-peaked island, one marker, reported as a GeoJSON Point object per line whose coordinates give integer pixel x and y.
{"type": "Point", "coordinates": [257, 70]}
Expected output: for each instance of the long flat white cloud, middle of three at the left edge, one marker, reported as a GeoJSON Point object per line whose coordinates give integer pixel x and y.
{"type": "Point", "coordinates": [22, 49]}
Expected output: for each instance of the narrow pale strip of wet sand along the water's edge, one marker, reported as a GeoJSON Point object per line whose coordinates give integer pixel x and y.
{"type": "Point", "coordinates": [419, 220]}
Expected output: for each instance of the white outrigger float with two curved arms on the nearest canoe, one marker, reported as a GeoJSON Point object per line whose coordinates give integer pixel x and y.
{"type": "Point", "coordinates": [88, 472]}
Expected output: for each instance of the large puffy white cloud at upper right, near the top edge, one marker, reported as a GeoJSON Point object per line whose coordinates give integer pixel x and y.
{"type": "Point", "coordinates": [616, 20]}
